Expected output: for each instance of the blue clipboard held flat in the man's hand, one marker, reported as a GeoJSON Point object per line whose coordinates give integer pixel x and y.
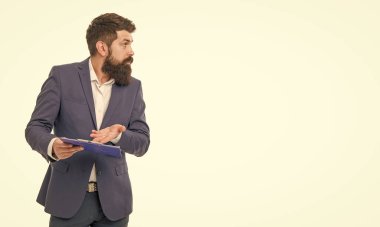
{"type": "Point", "coordinates": [95, 147]}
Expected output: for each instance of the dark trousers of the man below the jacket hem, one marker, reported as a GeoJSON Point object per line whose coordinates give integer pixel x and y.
{"type": "Point", "coordinates": [89, 214]}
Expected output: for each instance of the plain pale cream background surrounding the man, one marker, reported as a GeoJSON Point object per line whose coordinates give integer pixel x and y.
{"type": "Point", "coordinates": [262, 113]}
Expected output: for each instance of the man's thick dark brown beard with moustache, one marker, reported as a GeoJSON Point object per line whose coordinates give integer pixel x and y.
{"type": "Point", "coordinates": [120, 72]}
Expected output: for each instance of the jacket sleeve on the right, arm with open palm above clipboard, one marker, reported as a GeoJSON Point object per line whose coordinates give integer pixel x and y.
{"type": "Point", "coordinates": [136, 139]}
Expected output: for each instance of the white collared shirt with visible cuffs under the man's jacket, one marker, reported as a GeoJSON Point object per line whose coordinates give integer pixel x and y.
{"type": "Point", "coordinates": [101, 94]}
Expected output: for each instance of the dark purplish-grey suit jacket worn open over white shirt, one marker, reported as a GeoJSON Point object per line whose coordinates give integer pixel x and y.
{"type": "Point", "coordinates": [66, 105]}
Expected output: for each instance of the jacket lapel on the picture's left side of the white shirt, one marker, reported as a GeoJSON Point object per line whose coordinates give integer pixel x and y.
{"type": "Point", "coordinates": [84, 75]}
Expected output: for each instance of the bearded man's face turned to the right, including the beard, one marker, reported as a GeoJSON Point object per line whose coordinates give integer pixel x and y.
{"type": "Point", "coordinates": [118, 62]}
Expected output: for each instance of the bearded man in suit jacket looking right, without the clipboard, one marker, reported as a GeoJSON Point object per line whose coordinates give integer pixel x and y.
{"type": "Point", "coordinates": [98, 100]}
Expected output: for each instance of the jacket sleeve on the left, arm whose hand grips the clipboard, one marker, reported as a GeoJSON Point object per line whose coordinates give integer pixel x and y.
{"type": "Point", "coordinates": [38, 131]}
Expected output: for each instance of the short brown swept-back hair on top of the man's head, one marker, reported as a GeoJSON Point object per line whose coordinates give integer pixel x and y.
{"type": "Point", "coordinates": [104, 28]}
